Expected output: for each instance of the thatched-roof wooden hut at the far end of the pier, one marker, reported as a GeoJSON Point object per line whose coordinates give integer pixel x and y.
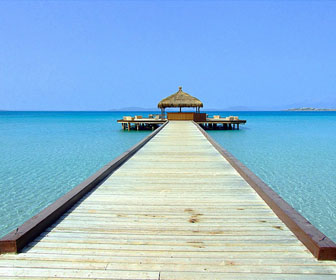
{"type": "Point", "coordinates": [182, 99]}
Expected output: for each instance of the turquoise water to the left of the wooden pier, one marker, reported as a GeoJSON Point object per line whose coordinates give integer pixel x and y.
{"type": "Point", "coordinates": [45, 154]}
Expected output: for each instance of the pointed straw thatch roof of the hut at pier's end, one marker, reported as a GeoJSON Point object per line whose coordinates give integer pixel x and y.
{"type": "Point", "coordinates": [180, 99]}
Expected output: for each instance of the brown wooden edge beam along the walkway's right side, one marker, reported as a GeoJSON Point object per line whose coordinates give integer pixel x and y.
{"type": "Point", "coordinates": [322, 247]}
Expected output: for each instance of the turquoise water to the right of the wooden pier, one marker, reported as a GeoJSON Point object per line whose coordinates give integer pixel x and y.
{"type": "Point", "coordinates": [295, 154]}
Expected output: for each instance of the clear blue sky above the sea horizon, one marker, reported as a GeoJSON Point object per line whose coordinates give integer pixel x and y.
{"type": "Point", "coordinates": [101, 55]}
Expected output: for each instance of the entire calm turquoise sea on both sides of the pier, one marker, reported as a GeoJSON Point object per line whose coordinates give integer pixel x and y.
{"type": "Point", "coordinates": [45, 154]}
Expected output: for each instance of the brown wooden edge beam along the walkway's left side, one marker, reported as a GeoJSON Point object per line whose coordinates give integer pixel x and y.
{"type": "Point", "coordinates": [17, 239]}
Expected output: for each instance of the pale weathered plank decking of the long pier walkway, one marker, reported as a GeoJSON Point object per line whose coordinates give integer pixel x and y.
{"type": "Point", "coordinates": [176, 210]}
